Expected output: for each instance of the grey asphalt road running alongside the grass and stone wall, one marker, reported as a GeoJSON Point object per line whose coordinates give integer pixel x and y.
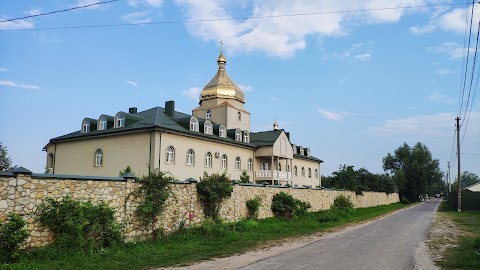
{"type": "Point", "coordinates": [388, 243]}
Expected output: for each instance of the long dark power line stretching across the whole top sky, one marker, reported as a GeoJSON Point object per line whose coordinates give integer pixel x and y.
{"type": "Point", "coordinates": [234, 18]}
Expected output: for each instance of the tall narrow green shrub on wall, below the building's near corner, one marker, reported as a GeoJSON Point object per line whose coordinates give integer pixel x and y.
{"type": "Point", "coordinates": [153, 193]}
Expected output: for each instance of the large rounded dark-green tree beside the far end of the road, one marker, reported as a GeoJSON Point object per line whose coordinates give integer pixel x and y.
{"type": "Point", "coordinates": [414, 171]}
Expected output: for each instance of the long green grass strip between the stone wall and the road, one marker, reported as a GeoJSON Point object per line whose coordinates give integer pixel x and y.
{"type": "Point", "coordinates": [195, 244]}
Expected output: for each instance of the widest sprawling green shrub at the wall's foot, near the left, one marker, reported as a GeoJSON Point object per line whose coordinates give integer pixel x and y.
{"type": "Point", "coordinates": [79, 226]}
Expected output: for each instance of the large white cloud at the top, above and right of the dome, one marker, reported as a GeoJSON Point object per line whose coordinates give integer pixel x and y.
{"type": "Point", "coordinates": [283, 36]}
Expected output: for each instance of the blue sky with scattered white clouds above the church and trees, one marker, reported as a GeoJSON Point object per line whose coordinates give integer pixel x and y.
{"type": "Point", "coordinates": [352, 86]}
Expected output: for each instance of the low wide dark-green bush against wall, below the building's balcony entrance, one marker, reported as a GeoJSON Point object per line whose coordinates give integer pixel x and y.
{"type": "Point", "coordinates": [284, 205]}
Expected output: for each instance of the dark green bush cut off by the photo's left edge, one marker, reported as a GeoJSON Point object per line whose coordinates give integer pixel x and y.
{"type": "Point", "coordinates": [12, 234]}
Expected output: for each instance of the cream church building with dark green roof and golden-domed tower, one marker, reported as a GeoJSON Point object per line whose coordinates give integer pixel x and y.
{"type": "Point", "coordinates": [215, 138]}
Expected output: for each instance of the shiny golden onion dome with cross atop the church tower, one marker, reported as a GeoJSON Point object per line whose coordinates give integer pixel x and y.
{"type": "Point", "coordinates": [221, 86]}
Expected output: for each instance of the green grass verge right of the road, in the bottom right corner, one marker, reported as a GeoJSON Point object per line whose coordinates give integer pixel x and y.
{"type": "Point", "coordinates": [467, 254]}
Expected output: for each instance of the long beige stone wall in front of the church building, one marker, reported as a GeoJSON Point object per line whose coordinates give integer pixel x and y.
{"type": "Point", "coordinates": [22, 193]}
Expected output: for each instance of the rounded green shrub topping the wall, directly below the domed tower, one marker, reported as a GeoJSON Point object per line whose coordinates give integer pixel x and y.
{"type": "Point", "coordinates": [212, 191]}
